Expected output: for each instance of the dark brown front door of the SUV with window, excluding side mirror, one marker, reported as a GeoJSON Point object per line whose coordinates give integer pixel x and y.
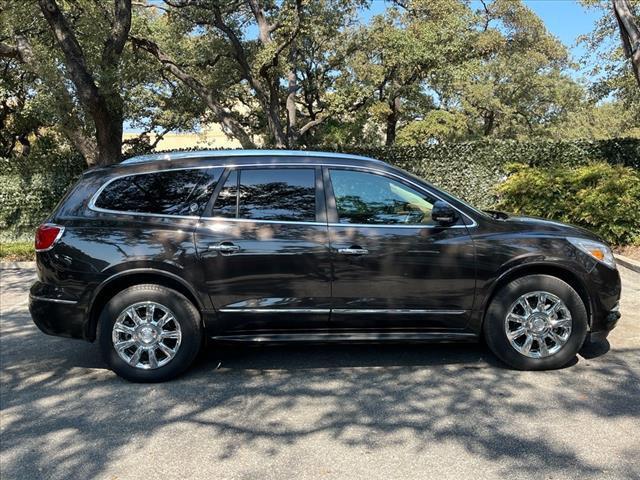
{"type": "Point", "coordinates": [394, 268]}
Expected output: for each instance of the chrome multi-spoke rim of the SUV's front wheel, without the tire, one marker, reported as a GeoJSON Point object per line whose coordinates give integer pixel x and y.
{"type": "Point", "coordinates": [538, 324]}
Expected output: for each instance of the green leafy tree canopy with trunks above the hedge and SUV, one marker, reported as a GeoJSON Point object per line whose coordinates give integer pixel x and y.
{"type": "Point", "coordinates": [290, 73]}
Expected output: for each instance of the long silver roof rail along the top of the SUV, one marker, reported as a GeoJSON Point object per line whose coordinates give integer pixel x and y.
{"type": "Point", "coordinates": [169, 156]}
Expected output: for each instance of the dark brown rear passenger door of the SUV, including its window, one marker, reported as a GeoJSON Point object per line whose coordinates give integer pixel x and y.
{"type": "Point", "coordinates": [265, 252]}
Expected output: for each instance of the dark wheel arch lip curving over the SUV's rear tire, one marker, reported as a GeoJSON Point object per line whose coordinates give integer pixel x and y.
{"type": "Point", "coordinates": [122, 280]}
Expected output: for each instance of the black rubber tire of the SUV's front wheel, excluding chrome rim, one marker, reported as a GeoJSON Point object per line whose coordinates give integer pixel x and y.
{"type": "Point", "coordinates": [495, 334]}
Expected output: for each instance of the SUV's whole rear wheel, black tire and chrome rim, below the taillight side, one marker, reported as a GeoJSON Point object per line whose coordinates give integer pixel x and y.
{"type": "Point", "coordinates": [162, 348]}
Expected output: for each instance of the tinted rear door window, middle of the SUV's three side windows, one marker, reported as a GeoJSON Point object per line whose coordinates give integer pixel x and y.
{"type": "Point", "coordinates": [277, 194]}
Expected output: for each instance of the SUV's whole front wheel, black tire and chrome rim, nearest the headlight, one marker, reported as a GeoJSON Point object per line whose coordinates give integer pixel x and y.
{"type": "Point", "coordinates": [541, 326]}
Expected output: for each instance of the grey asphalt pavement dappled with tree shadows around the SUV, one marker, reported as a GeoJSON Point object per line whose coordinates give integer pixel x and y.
{"type": "Point", "coordinates": [317, 412]}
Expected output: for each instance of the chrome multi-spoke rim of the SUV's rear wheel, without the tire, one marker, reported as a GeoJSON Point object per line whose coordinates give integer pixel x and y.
{"type": "Point", "coordinates": [146, 335]}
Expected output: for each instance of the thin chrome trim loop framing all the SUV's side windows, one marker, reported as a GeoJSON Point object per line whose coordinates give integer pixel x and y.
{"type": "Point", "coordinates": [284, 164]}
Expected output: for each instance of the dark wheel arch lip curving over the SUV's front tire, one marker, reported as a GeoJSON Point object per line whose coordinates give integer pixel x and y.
{"type": "Point", "coordinates": [554, 270]}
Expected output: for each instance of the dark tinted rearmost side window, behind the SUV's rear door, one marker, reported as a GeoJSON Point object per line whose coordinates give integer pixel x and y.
{"type": "Point", "coordinates": [177, 192]}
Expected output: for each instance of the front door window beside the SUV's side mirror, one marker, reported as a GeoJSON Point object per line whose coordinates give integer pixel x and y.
{"type": "Point", "coordinates": [367, 198]}
